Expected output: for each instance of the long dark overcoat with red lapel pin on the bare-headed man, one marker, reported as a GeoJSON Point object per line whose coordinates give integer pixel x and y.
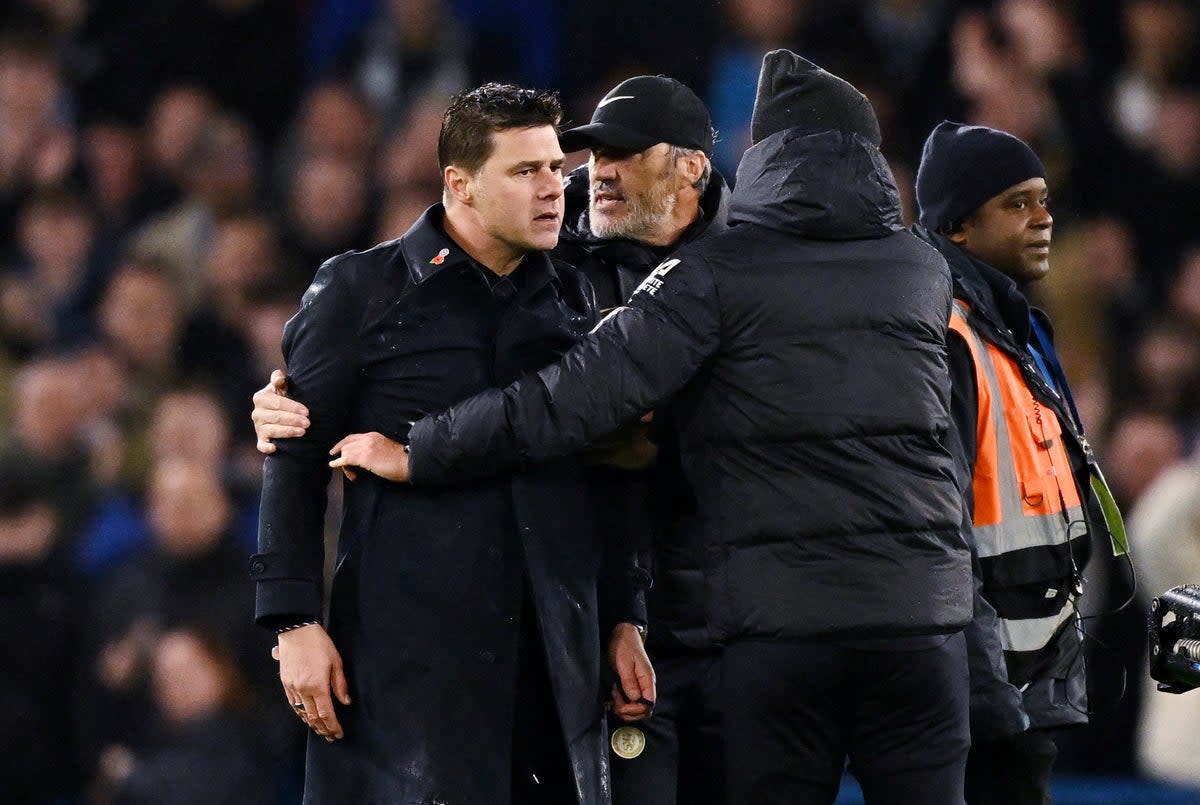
{"type": "Point", "coordinates": [427, 604]}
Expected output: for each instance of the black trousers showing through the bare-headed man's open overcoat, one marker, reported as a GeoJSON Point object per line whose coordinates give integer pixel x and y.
{"type": "Point", "coordinates": [542, 771]}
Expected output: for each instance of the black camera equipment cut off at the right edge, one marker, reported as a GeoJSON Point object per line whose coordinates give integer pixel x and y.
{"type": "Point", "coordinates": [1175, 640]}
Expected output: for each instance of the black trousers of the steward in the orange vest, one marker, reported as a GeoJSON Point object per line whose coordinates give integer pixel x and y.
{"type": "Point", "coordinates": [1012, 771]}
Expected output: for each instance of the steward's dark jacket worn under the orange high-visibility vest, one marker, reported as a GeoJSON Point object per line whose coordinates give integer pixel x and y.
{"type": "Point", "coordinates": [1052, 681]}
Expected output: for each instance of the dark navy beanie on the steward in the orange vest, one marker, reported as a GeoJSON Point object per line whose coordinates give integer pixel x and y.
{"type": "Point", "coordinates": [963, 167]}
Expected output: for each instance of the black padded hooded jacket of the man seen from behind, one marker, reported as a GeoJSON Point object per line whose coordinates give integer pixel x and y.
{"type": "Point", "coordinates": [807, 346]}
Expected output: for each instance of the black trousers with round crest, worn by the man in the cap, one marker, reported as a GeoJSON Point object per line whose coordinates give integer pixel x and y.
{"type": "Point", "coordinates": [682, 761]}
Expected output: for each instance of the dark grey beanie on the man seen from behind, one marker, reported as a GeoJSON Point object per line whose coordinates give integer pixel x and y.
{"type": "Point", "coordinates": [794, 93]}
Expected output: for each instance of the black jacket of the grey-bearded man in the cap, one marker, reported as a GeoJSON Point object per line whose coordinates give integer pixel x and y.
{"type": "Point", "coordinates": [655, 510]}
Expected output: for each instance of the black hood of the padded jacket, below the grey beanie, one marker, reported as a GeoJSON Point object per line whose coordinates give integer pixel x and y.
{"type": "Point", "coordinates": [829, 185]}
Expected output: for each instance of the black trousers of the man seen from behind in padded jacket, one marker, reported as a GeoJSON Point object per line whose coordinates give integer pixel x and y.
{"type": "Point", "coordinates": [795, 712]}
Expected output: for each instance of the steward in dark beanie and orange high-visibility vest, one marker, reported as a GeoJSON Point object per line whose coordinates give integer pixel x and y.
{"type": "Point", "coordinates": [1034, 490]}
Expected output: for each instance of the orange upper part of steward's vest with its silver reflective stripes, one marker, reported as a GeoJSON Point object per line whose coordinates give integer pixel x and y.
{"type": "Point", "coordinates": [1025, 494]}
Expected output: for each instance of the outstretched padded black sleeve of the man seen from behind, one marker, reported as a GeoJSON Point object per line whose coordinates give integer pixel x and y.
{"type": "Point", "coordinates": [637, 358]}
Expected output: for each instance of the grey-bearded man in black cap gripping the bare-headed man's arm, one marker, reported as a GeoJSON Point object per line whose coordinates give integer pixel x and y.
{"type": "Point", "coordinates": [649, 190]}
